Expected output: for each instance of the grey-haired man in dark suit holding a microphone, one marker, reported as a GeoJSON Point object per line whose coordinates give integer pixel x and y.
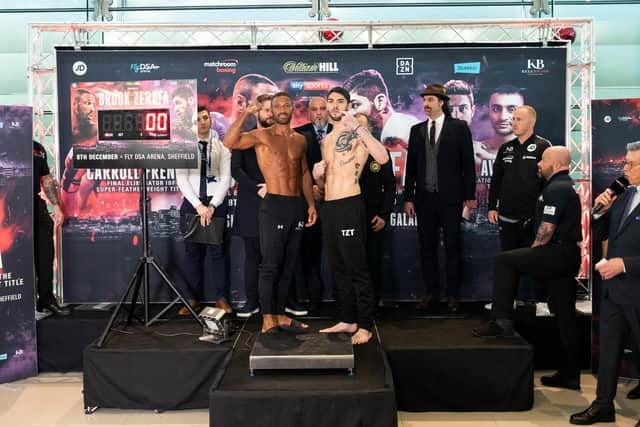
{"type": "Point", "coordinates": [620, 271]}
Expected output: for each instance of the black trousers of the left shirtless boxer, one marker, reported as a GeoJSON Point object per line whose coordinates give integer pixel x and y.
{"type": "Point", "coordinates": [281, 222]}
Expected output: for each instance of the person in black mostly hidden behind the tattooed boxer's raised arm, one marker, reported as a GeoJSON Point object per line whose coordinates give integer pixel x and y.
{"type": "Point", "coordinates": [378, 186]}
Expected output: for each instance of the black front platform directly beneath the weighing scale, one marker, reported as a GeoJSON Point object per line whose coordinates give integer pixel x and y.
{"type": "Point", "coordinates": [314, 398]}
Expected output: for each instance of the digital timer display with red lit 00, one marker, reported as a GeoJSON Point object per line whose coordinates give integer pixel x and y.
{"type": "Point", "coordinates": [127, 125]}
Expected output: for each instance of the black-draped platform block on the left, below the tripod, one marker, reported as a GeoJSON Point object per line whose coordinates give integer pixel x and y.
{"type": "Point", "coordinates": [161, 367]}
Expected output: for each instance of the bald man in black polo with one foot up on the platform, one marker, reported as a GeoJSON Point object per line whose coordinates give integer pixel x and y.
{"type": "Point", "coordinates": [553, 259]}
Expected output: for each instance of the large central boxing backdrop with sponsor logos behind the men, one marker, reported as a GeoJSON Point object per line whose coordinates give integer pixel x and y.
{"type": "Point", "coordinates": [101, 244]}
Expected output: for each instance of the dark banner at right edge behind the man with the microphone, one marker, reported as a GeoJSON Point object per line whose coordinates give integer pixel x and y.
{"type": "Point", "coordinates": [615, 123]}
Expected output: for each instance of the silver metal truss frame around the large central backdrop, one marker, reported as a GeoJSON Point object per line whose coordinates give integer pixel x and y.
{"type": "Point", "coordinates": [580, 62]}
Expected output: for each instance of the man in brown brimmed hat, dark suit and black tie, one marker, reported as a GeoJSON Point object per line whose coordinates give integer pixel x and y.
{"type": "Point", "coordinates": [440, 180]}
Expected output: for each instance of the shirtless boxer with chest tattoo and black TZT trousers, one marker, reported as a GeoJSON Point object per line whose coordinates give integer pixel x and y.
{"type": "Point", "coordinates": [344, 152]}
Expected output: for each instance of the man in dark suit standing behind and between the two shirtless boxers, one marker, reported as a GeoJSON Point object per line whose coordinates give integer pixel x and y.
{"type": "Point", "coordinates": [311, 250]}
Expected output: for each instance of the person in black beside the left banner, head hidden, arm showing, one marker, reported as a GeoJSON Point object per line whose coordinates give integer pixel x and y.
{"type": "Point", "coordinates": [43, 230]}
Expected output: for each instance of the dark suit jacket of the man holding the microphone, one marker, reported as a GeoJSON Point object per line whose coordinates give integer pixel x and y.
{"type": "Point", "coordinates": [624, 242]}
